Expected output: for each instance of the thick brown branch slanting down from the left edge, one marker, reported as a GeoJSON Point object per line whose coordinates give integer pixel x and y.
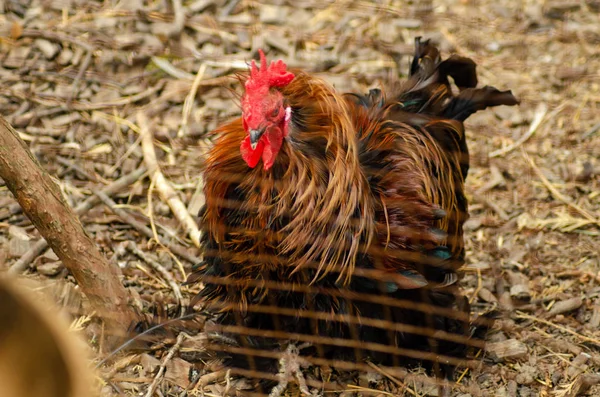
{"type": "Point", "coordinates": [43, 203]}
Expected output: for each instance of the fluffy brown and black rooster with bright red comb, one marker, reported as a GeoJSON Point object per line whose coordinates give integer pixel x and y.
{"type": "Point", "coordinates": [323, 209]}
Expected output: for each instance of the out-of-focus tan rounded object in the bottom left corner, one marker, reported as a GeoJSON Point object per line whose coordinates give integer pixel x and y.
{"type": "Point", "coordinates": [39, 355]}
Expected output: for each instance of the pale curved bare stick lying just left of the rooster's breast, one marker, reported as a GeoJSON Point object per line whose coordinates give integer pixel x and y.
{"type": "Point", "coordinates": [164, 188]}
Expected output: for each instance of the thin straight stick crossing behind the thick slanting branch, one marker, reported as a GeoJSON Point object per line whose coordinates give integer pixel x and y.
{"type": "Point", "coordinates": [39, 247]}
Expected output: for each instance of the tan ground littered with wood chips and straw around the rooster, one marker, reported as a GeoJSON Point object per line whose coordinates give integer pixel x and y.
{"type": "Point", "coordinates": [74, 74]}
